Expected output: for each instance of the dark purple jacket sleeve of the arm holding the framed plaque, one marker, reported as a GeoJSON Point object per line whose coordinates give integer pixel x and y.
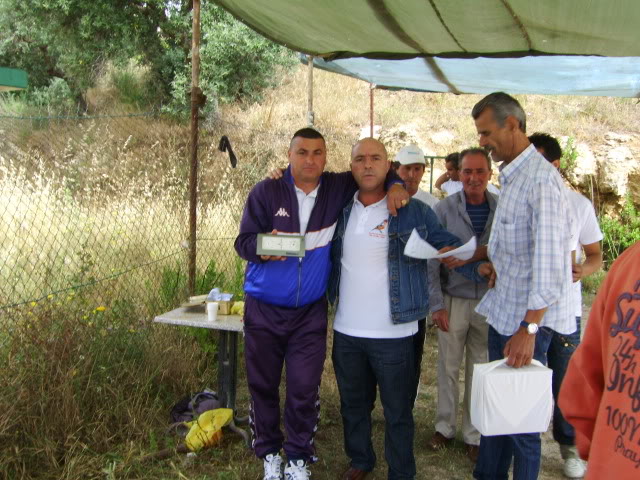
{"type": "Point", "coordinates": [256, 218]}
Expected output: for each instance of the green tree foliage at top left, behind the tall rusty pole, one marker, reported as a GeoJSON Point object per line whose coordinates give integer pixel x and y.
{"type": "Point", "coordinates": [72, 39]}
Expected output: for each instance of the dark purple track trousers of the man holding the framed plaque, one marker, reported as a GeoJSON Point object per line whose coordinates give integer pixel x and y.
{"type": "Point", "coordinates": [297, 338]}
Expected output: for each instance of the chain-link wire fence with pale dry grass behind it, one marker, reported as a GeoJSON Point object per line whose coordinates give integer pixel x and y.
{"type": "Point", "coordinates": [94, 210]}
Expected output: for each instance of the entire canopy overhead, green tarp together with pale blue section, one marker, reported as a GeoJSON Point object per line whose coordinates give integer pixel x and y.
{"type": "Point", "coordinates": [463, 46]}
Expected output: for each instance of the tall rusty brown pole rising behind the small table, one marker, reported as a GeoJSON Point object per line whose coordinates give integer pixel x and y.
{"type": "Point", "coordinates": [196, 99]}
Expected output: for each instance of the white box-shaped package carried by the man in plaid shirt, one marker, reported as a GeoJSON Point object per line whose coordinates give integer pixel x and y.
{"type": "Point", "coordinates": [507, 400]}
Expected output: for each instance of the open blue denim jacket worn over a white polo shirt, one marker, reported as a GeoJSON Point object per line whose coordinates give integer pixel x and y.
{"type": "Point", "coordinates": [408, 282]}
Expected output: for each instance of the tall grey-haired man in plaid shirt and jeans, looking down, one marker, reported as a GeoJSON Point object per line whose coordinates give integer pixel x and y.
{"type": "Point", "coordinates": [530, 249]}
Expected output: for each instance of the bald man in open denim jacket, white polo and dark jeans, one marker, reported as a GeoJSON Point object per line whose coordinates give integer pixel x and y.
{"type": "Point", "coordinates": [383, 294]}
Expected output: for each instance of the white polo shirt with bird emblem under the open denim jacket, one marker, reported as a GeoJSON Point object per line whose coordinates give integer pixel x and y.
{"type": "Point", "coordinates": [363, 306]}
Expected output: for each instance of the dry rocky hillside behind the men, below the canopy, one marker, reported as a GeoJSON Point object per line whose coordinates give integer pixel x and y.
{"type": "Point", "coordinates": [605, 132]}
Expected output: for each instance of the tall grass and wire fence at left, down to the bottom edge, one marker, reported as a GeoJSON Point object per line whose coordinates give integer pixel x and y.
{"type": "Point", "coordinates": [94, 222]}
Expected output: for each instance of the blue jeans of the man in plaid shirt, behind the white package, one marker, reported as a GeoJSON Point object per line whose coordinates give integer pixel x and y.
{"type": "Point", "coordinates": [496, 452]}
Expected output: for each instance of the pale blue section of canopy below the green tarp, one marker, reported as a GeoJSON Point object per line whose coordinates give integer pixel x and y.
{"type": "Point", "coordinates": [560, 75]}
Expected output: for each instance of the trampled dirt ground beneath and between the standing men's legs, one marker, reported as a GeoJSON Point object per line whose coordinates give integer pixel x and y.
{"type": "Point", "coordinates": [233, 461]}
